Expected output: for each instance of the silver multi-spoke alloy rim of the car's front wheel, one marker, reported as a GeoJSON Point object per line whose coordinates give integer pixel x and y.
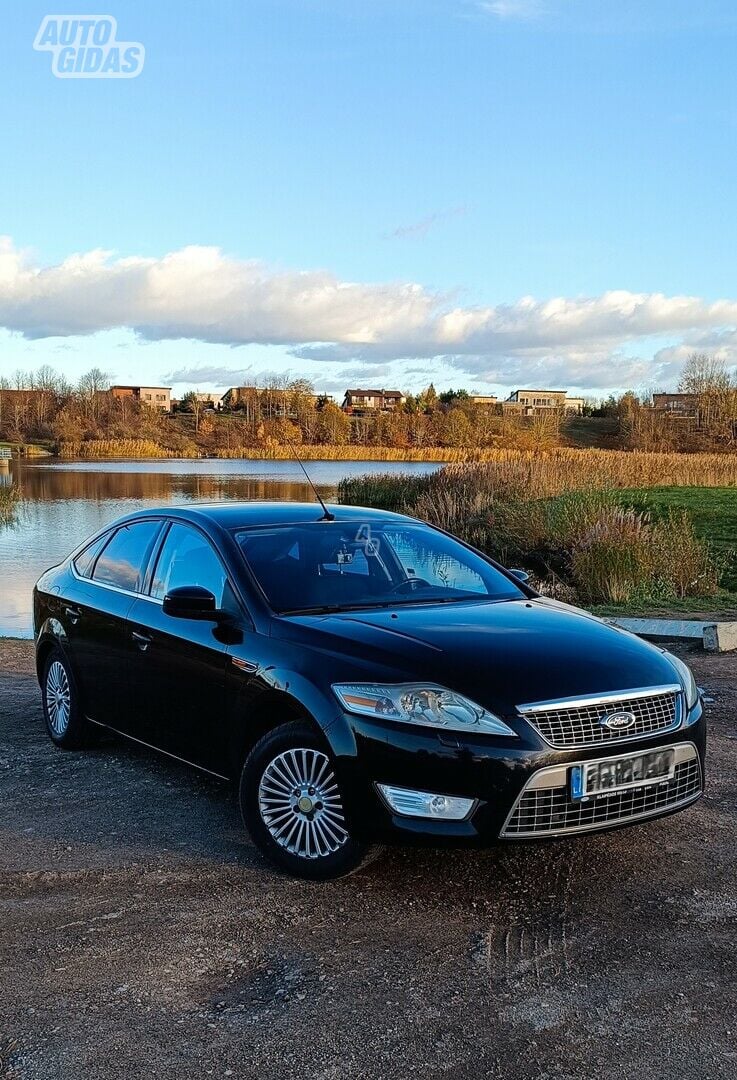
{"type": "Point", "coordinates": [300, 804]}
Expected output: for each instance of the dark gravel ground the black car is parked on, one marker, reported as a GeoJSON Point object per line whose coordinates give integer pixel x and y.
{"type": "Point", "coordinates": [142, 936]}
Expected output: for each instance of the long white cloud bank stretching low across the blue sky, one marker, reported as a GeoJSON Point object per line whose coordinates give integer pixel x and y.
{"type": "Point", "coordinates": [202, 294]}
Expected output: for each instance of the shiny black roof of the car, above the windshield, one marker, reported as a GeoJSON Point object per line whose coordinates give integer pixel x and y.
{"type": "Point", "coordinates": [233, 516]}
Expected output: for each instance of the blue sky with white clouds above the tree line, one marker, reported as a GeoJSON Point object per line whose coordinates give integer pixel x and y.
{"type": "Point", "coordinates": [480, 194]}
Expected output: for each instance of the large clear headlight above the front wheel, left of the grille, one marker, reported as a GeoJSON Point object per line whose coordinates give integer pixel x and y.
{"type": "Point", "coordinates": [426, 706]}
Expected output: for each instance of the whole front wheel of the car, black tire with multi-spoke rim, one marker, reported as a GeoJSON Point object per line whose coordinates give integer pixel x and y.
{"type": "Point", "coordinates": [298, 826]}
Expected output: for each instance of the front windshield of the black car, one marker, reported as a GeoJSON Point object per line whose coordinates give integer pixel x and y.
{"type": "Point", "coordinates": [325, 566]}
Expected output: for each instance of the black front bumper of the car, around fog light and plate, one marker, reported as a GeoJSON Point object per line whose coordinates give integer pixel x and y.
{"type": "Point", "coordinates": [520, 786]}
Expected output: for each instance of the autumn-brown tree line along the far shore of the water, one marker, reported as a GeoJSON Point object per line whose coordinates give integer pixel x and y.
{"type": "Point", "coordinates": [44, 407]}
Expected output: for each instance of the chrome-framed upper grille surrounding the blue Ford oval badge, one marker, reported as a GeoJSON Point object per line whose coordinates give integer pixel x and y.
{"type": "Point", "coordinates": [569, 723]}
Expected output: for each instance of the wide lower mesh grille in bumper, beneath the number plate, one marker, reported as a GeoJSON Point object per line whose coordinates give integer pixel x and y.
{"type": "Point", "coordinates": [547, 812]}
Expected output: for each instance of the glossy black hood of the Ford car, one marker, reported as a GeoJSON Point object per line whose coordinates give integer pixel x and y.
{"type": "Point", "coordinates": [502, 655]}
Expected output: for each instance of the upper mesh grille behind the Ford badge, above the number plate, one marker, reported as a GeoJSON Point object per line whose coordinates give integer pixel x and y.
{"type": "Point", "coordinates": [574, 725]}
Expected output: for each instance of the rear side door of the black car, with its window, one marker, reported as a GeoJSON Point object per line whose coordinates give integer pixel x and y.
{"type": "Point", "coordinates": [96, 612]}
